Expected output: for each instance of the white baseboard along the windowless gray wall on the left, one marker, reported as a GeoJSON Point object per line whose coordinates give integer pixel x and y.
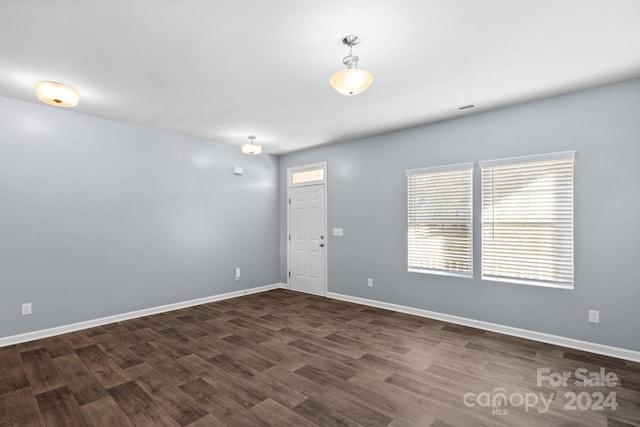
{"type": "Point", "coordinates": [45, 333]}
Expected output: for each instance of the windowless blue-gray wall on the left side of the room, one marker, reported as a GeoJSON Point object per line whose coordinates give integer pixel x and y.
{"type": "Point", "coordinates": [100, 218]}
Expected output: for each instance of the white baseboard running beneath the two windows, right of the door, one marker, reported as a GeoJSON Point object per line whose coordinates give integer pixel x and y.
{"type": "Point", "coordinates": [605, 350]}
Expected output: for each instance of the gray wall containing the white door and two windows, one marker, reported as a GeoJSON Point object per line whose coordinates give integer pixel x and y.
{"type": "Point", "coordinates": [367, 197]}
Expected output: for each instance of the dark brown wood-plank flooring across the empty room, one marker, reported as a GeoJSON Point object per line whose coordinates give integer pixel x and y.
{"type": "Point", "coordinates": [285, 358]}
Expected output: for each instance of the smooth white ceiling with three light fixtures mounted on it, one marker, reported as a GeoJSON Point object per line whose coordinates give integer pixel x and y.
{"type": "Point", "coordinates": [221, 69]}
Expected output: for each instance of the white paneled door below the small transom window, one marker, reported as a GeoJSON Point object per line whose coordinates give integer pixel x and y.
{"type": "Point", "coordinates": [307, 239]}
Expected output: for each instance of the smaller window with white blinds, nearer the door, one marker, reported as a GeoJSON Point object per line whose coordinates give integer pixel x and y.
{"type": "Point", "coordinates": [439, 220]}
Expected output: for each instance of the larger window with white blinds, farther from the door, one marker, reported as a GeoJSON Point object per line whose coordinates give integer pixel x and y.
{"type": "Point", "coordinates": [527, 219]}
